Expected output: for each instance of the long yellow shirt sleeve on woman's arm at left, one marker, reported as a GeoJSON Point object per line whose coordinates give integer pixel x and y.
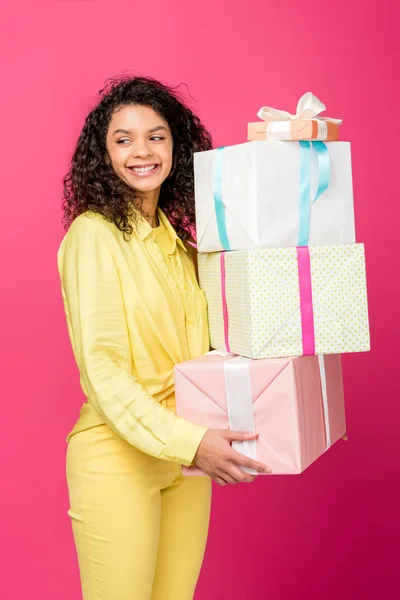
{"type": "Point", "coordinates": [99, 335]}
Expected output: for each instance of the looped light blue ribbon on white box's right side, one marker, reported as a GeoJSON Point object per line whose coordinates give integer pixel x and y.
{"type": "Point", "coordinates": [305, 201]}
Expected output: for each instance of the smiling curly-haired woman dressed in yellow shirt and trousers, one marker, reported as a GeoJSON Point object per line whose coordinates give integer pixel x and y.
{"type": "Point", "coordinates": [134, 310]}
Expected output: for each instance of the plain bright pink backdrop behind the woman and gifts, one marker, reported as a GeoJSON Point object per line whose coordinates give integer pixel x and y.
{"type": "Point", "coordinates": [330, 533]}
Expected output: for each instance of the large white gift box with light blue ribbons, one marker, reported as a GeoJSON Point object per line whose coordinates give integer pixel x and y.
{"type": "Point", "coordinates": [254, 192]}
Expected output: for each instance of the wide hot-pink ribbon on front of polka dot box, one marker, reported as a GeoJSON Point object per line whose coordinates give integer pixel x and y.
{"type": "Point", "coordinates": [306, 303]}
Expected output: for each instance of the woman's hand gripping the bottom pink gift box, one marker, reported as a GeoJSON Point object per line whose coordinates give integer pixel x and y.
{"type": "Point", "coordinates": [216, 457]}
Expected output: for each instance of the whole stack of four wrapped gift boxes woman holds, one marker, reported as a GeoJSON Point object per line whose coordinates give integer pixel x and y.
{"type": "Point", "coordinates": [285, 284]}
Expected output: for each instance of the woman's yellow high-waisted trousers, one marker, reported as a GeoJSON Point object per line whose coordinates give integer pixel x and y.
{"type": "Point", "coordinates": [140, 528]}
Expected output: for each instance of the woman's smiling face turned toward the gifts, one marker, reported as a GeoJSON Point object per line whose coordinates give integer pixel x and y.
{"type": "Point", "coordinates": [139, 146]}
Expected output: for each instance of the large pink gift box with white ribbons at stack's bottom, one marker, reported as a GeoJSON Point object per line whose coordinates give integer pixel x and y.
{"type": "Point", "coordinates": [297, 404]}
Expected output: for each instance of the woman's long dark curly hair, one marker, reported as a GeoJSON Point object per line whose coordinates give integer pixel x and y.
{"type": "Point", "coordinates": [91, 183]}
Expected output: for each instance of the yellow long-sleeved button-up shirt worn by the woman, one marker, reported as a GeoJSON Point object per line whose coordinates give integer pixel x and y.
{"type": "Point", "coordinates": [134, 309]}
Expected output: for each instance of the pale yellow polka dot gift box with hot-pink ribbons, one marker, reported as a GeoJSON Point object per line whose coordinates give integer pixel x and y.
{"type": "Point", "coordinates": [279, 302]}
